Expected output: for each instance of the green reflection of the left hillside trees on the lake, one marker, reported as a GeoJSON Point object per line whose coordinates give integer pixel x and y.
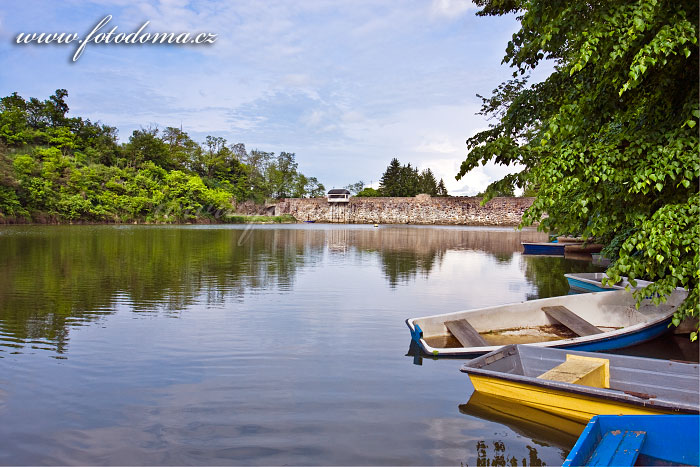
{"type": "Point", "coordinates": [60, 276]}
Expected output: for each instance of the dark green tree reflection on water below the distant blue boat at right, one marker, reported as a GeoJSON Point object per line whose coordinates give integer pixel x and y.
{"type": "Point", "coordinates": [546, 274]}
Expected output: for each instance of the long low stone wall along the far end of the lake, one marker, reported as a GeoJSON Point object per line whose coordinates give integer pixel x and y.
{"type": "Point", "coordinates": [456, 210]}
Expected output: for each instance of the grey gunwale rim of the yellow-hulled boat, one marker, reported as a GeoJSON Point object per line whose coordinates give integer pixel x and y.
{"type": "Point", "coordinates": [588, 391]}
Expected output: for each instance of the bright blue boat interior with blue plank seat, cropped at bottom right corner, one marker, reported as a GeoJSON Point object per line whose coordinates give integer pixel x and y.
{"type": "Point", "coordinates": [638, 440]}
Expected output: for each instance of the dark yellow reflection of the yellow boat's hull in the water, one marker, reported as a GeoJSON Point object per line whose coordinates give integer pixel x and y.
{"type": "Point", "coordinates": [544, 427]}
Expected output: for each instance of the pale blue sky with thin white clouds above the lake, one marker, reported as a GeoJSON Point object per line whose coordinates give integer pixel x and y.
{"type": "Point", "coordinates": [345, 85]}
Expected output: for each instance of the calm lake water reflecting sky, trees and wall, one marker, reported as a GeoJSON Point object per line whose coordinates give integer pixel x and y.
{"type": "Point", "coordinates": [271, 345]}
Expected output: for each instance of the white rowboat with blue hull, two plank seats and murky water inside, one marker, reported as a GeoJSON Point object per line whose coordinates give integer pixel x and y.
{"type": "Point", "coordinates": [592, 321]}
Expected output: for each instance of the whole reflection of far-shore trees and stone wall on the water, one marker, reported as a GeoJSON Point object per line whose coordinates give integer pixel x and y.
{"type": "Point", "coordinates": [55, 277]}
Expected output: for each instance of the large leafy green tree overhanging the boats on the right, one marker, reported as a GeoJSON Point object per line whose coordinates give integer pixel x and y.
{"type": "Point", "coordinates": [610, 138]}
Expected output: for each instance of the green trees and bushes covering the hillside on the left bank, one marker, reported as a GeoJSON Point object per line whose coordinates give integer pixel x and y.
{"type": "Point", "coordinates": [59, 168]}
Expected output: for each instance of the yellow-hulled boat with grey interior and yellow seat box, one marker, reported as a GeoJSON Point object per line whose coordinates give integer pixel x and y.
{"type": "Point", "coordinates": [578, 385]}
